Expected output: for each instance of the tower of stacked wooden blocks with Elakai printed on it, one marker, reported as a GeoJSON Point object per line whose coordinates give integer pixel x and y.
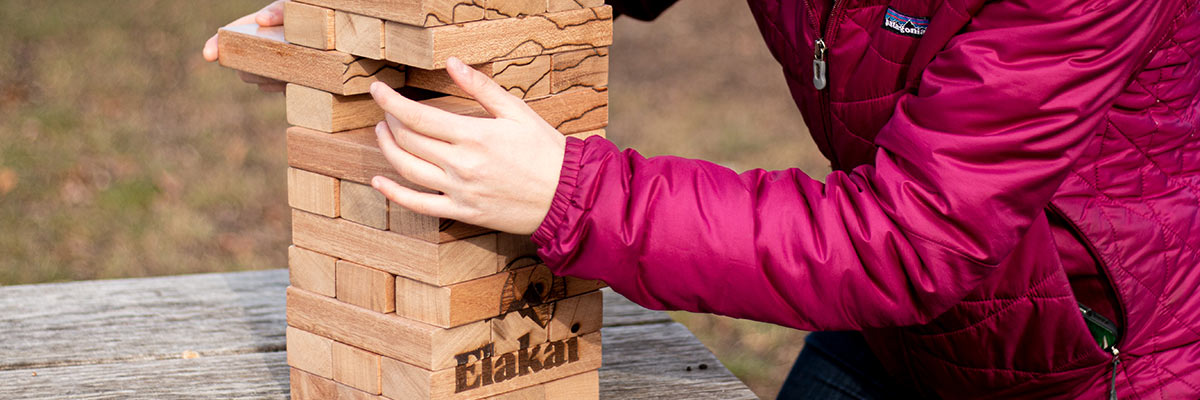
{"type": "Point", "coordinates": [387, 303]}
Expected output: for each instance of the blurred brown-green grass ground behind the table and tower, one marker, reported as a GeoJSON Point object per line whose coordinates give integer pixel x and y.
{"type": "Point", "coordinates": [124, 154]}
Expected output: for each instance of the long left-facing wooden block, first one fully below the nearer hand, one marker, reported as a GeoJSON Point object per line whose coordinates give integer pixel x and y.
{"type": "Point", "coordinates": [395, 254]}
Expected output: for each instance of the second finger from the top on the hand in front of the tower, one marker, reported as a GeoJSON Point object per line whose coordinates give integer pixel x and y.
{"type": "Point", "coordinates": [421, 118]}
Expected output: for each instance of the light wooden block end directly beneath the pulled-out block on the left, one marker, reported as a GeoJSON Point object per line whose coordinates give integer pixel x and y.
{"type": "Point", "coordinates": [328, 112]}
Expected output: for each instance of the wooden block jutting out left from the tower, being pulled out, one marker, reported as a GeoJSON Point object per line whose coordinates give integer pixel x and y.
{"type": "Point", "coordinates": [263, 51]}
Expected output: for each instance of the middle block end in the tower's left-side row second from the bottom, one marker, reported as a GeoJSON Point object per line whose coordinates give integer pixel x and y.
{"type": "Point", "coordinates": [367, 288]}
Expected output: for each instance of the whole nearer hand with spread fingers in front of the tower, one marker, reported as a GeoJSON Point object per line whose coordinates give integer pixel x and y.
{"type": "Point", "coordinates": [497, 172]}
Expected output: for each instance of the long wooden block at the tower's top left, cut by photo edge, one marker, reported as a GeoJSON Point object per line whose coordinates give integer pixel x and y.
{"type": "Point", "coordinates": [413, 13]}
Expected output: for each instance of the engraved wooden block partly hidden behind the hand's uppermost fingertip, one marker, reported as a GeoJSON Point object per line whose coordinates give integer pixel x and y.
{"type": "Point", "coordinates": [526, 79]}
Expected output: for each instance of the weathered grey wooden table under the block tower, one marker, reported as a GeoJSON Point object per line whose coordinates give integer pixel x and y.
{"type": "Point", "coordinates": [221, 337]}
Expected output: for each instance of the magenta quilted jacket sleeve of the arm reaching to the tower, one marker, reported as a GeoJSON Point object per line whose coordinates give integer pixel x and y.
{"type": "Point", "coordinates": [963, 170]}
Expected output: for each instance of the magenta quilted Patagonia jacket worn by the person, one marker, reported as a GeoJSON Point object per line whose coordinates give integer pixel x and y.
{"type": "Point", "coordinates": [995, 163]}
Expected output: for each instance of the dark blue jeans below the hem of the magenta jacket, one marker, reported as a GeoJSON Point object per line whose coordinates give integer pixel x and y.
{"type": "Point", "coordinates": [839, 366]}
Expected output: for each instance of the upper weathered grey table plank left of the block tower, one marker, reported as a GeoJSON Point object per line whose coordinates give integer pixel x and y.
{"type": "Point", "coordinates": [141, 319]}
